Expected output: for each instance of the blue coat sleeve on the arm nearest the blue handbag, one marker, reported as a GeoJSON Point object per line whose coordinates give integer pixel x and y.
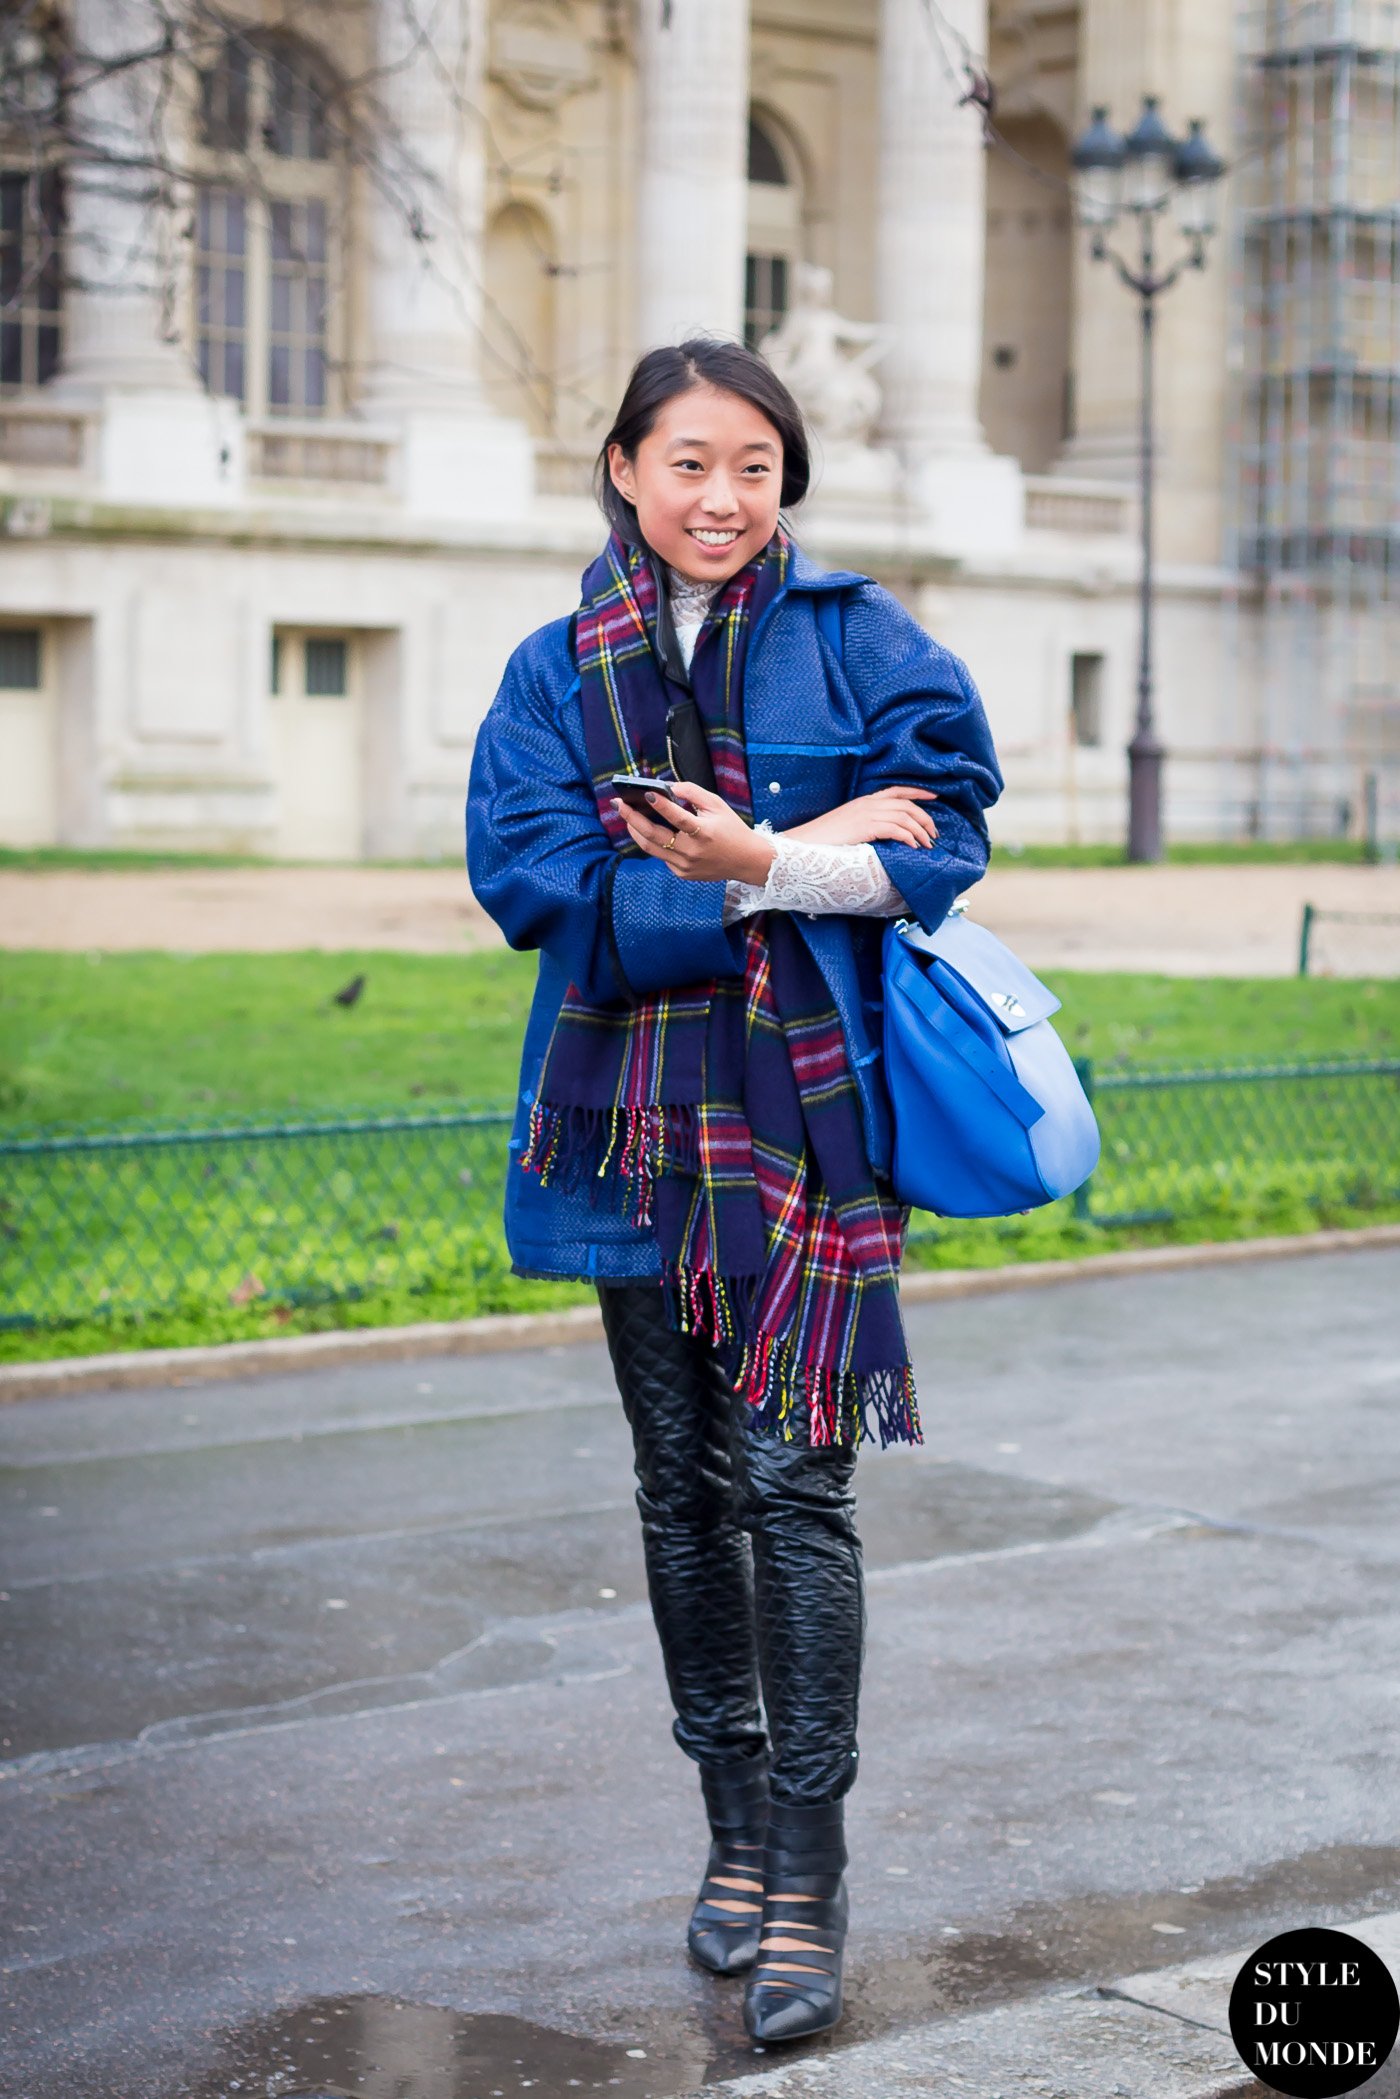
{"type": "Point", "coordinates": [927, 727]}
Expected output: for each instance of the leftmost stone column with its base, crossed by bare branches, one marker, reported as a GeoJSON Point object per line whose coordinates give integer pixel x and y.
{"type": "Point", "coordinates": [161, 438]}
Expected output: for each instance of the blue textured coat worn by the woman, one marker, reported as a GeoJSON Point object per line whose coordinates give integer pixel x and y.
{"type": "Point", "coordinates": [893, 711]}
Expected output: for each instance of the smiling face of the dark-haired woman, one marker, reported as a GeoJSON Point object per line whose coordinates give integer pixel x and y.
{"type": "Point", "coordinates": [706, 484]}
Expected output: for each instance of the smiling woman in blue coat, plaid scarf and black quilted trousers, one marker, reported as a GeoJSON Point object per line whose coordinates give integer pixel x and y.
{"type": "Point", "coordinates": [702, 1124]}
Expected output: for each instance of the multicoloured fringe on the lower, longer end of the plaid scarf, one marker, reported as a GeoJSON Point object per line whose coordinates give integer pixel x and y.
{"type": "Point", "coordinates": [799, 1403]}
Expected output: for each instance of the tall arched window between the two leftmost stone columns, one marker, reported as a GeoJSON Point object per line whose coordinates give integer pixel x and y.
{"type": "Point", "coordinates": [268, 232]}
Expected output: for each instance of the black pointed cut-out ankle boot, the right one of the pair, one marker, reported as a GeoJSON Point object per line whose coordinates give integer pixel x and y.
{"type": "Point", "coordinates": [797, 1987]}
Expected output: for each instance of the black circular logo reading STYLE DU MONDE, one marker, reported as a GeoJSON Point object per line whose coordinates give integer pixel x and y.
{"type": "Point", "coordinates": [1315, 2014]}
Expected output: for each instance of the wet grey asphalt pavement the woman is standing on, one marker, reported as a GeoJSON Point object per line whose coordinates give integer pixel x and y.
{"type": "Point", "coordinates": [337, 1741]}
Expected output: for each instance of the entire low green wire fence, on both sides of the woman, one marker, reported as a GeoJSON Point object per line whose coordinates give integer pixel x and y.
{"type": "Point", "coordinates": [320, 1212]}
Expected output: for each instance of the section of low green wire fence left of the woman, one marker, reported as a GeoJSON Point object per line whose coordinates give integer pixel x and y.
{"type": "Point", "coordinates": [312, 1212]}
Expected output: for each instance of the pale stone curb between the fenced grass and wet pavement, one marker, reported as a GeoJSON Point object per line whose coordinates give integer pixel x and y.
{"type": "Point", "coordinates": [501, 1332]}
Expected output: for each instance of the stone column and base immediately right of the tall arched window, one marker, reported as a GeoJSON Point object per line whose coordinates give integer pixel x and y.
{"type": "Point", "coordinates": [457, 457]}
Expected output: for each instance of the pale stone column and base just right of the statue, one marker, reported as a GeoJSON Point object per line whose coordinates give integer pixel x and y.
{"type": "Point", "coordinates": [931, 257]}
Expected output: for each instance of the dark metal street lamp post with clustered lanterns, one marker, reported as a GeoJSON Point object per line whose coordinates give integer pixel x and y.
{"type": "Point", "coordinates": [1141, 175]}
